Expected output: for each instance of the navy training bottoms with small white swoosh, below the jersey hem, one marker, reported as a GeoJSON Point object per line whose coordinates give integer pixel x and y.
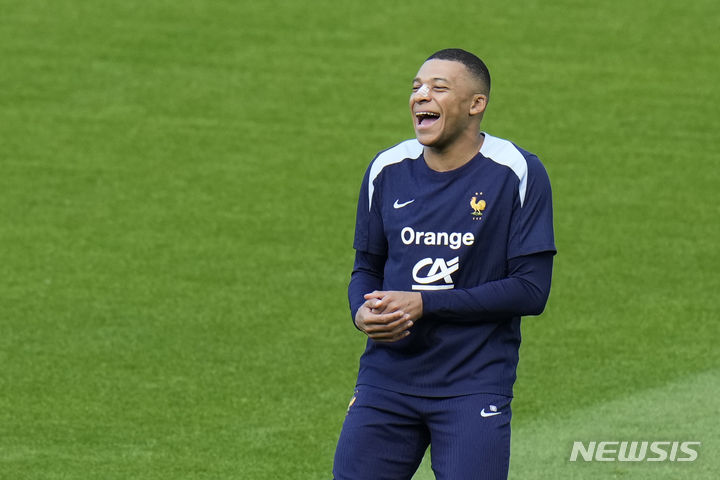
{"type": "Point", "coordinates": [385, 435]}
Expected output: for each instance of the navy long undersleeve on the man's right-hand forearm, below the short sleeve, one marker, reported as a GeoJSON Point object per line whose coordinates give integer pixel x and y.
{"type": "Point", "coordinates": [523, 292]}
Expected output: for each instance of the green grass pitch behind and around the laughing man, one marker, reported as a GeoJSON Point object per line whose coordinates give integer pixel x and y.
{"type": "Point", "coordinates": [177, 192]}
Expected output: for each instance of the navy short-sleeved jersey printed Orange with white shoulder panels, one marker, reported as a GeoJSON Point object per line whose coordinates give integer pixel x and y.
{"type": "Point", "coordinates": [441, 232]}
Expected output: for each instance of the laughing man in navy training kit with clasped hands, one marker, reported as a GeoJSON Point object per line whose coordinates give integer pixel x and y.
{"type": "Point", "coordinates": [454, 242]}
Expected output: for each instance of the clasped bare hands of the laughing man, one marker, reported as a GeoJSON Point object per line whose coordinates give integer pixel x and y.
{"type": "Point", "coordinates": [388, 316]}
